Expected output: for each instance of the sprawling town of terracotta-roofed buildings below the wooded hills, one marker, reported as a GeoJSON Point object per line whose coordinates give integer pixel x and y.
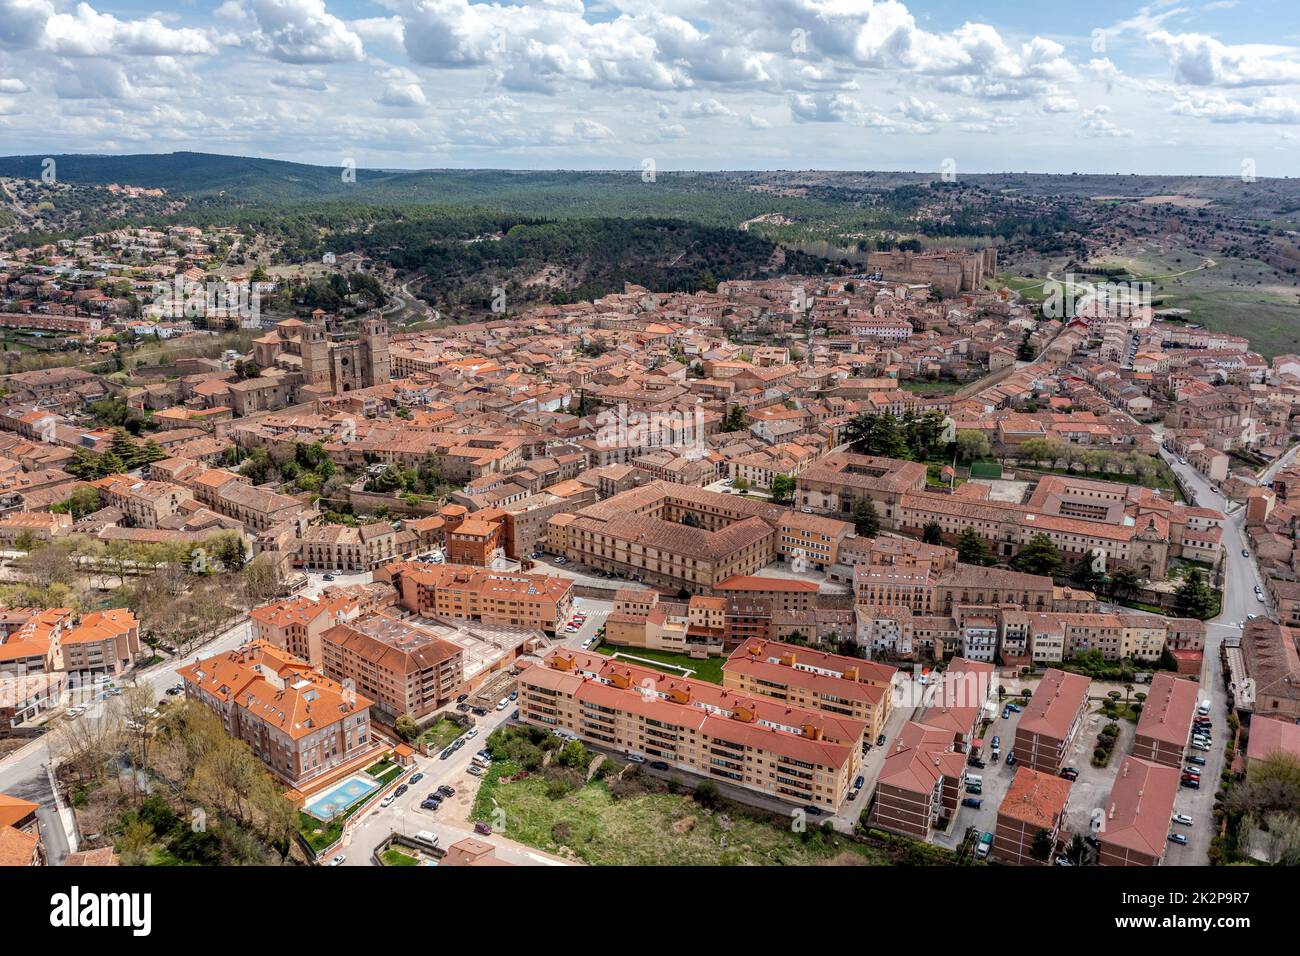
{"type": "Point", "coordinates": [898, 565]}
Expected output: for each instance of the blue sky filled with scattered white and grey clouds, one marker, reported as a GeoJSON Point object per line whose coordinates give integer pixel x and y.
{"type": "Point", "coordinates": [1208, 89]}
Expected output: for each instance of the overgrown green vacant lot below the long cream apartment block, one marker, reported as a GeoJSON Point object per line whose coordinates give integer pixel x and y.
{"type": "Point", "coordinates": [658, 829]}
